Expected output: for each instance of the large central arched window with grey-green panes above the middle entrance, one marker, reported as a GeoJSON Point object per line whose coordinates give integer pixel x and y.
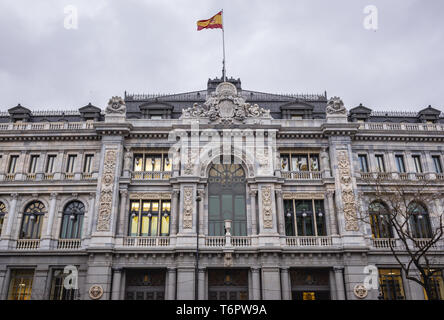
{"type": "Point", "coordinates": [226, 199]}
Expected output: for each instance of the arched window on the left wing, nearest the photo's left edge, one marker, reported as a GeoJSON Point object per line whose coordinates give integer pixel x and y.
{"type": "Point", "coordinates": [32, 220]}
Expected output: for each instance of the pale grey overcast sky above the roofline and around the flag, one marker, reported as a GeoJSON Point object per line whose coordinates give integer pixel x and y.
{"type": "Point", "coordinates": [281, 46]}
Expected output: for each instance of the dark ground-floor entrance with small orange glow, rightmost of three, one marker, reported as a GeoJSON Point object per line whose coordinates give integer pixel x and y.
{"type": "Point", "coordinates": [310, 284]}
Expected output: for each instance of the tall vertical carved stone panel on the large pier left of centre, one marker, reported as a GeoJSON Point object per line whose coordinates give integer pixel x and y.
{"type": "Point", "coordinates": [106, 194]}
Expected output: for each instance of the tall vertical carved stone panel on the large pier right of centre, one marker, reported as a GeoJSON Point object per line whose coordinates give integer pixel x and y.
{"type": "Point", "coordinates": [347, 194]}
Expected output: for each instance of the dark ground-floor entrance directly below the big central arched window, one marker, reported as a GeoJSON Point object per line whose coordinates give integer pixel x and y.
{"type": "Point", "coordinates": [228, 284]}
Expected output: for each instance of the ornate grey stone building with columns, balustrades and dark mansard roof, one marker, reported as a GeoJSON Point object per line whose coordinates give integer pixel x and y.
{"type": "Point", "coordinates": [251, 195]}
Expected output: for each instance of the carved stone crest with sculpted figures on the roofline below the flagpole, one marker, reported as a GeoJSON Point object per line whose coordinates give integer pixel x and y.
{"type": "Point", "coordinates": [225, 106]}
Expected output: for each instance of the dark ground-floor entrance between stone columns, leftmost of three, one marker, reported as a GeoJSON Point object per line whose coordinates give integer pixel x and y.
{"type": "Point", "coordinates": [145, 284]}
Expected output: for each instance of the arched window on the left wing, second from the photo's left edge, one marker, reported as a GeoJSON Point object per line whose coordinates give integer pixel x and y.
{"type": "Point", "coordinates": [72, 220]}
